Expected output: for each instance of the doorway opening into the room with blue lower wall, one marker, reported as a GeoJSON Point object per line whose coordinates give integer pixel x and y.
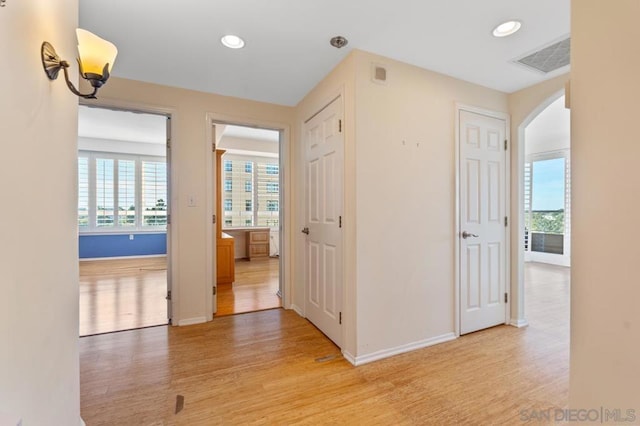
{"type": "Point", "coordinates": [123, 208]}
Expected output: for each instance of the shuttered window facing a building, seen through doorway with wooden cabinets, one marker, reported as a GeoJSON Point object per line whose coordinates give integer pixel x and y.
{"type": "Point", "coordinates": [258, 204]}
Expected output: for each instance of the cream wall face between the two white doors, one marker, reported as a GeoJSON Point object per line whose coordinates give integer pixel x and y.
{"type": "Point", "coordinates": [405, 202]}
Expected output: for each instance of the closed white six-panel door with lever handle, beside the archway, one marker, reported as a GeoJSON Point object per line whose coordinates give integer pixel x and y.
{"type": "Point", "coordinates": [482, 177]}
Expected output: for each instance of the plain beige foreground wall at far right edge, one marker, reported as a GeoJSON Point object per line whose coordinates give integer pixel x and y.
{"type": "Point", "coordinates": [605, 290]}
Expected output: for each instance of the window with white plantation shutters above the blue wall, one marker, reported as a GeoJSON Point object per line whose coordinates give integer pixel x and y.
{"type": "Point", "coordinates": [118, 192]}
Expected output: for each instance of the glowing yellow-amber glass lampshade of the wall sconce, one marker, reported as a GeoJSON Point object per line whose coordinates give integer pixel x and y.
{"type": "Point", "coordinates": [94, 54]}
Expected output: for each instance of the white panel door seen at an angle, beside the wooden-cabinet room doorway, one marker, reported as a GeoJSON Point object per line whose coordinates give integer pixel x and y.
{"type": "Point", "coordinates": [323, 248]}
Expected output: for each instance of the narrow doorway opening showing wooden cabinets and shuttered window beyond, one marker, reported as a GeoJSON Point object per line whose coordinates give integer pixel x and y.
{"type": "Point", "coordinates": [249, 219]}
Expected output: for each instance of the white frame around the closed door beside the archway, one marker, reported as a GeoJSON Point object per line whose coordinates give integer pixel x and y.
{"type": "Point", "coordinates": [457, 281]}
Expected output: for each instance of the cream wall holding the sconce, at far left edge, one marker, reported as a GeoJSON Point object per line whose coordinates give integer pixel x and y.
{"type": "Point", "coordinates": [39, 368]}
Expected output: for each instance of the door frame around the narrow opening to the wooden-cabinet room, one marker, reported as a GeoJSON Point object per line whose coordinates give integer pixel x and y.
{"type": "Point", "coordinates": [286, 274]}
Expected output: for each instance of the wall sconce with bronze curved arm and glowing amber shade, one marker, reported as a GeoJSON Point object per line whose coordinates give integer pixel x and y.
{"type": "Point", "coordinates": [95, 58]}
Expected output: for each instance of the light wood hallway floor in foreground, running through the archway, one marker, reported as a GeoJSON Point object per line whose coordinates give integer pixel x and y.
{"type": "Point", "coordinates": [273, 367]}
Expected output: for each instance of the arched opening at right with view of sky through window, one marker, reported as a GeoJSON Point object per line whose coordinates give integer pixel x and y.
{"type": "Point", "coordinates": [547, 218]}
